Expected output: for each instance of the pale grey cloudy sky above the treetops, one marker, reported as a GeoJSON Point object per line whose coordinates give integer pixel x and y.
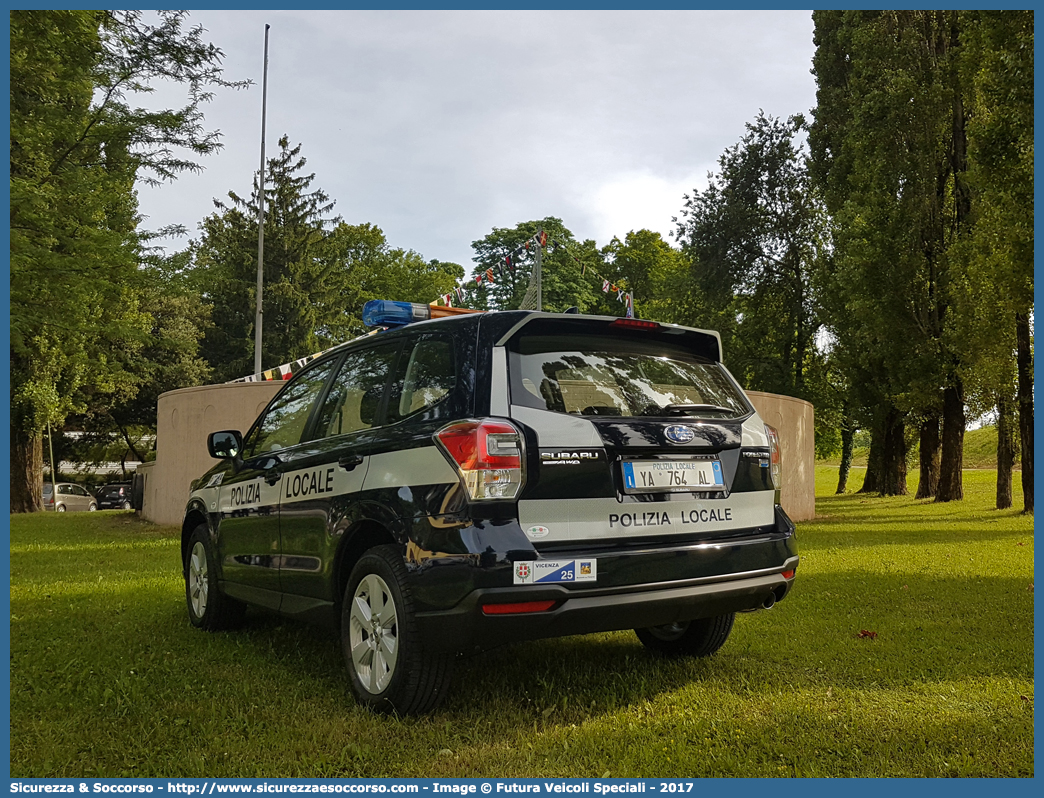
{"type": "Point", "coordinates": [438, 127]}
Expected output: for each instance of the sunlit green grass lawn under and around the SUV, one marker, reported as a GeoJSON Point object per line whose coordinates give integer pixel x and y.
{"type": "Point", "coordinates": [109, 679]}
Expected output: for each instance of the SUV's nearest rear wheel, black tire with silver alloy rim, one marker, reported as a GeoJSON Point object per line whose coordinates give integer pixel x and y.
{"type": "Point", "coordinates": [387, 663]}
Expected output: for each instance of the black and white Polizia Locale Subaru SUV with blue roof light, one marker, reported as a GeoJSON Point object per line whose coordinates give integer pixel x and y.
{"type": "Point", "coordinates": [459, 483]}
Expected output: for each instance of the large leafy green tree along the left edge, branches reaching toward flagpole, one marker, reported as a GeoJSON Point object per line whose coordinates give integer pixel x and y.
{"type": "Point", "coordinates": [78, 148]}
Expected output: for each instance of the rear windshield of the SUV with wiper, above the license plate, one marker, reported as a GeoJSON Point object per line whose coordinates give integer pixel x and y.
{"type": "Point", "coordinates": [603, 375]}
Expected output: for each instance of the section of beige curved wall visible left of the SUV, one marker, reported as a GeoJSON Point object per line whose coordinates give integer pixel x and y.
{"type": "Point", "coordinates": [184, 420]}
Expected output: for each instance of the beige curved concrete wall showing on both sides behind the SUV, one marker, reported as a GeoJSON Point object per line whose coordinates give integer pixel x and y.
{"type": "Point", "coordinates": [186, 417]}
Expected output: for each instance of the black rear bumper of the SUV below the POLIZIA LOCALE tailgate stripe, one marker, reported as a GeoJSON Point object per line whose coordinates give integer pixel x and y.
{"type": "Point", "coordinates": [637, 588]}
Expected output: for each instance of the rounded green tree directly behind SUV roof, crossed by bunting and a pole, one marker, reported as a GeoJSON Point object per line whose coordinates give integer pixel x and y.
{"type": "Point", "coordinates": [564, 286]}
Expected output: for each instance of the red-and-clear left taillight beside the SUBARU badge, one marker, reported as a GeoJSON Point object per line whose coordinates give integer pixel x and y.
{"type": "Point", "coordinates": [488, 456]}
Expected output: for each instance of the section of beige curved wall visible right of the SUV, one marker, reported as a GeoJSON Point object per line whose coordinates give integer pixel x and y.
{"type": "Point", "coordinates": [794, 419]}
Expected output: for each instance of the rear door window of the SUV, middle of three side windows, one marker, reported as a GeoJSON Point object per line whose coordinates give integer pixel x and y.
{"type": "Point", "coordinates": [357, 393]}
